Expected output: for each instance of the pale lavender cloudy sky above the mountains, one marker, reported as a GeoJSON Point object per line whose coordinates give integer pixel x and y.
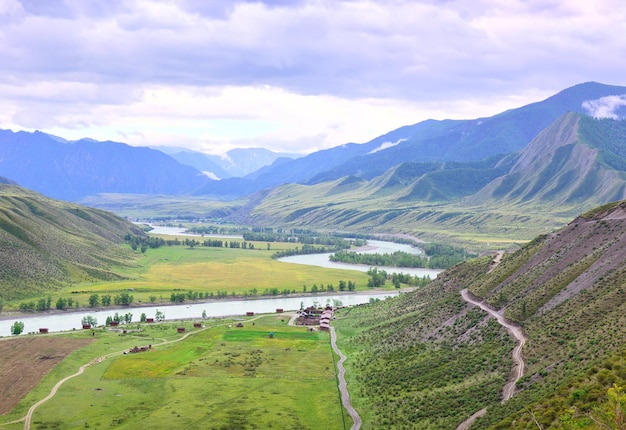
{"type": "Point", "coordinates": [290, 76]}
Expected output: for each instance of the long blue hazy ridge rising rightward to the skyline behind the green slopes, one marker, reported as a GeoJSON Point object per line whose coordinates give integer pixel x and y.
{"type": "Point", "coordinates": [427, 141]}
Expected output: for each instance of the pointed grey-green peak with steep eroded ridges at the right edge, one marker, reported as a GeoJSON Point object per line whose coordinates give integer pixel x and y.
{"type": "Point", "coordinates": [578, 162]}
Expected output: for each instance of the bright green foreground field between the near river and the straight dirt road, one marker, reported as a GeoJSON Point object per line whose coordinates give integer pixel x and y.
{"type": "Point", "coordinates": [223, 377]}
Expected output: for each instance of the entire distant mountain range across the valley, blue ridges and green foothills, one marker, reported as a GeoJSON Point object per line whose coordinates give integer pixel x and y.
{"type": "Point", "coordinates": [544, 162]}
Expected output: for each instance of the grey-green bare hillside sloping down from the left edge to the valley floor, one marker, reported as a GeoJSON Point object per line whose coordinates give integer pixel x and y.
{"type": "Point", "coordinates": [46, 244]}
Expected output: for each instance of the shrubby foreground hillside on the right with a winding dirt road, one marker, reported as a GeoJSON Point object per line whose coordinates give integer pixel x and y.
{"type": "Point", "coordinates": [428, 359]}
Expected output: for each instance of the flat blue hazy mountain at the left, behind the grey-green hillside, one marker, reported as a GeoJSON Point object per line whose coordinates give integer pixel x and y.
{"type": "Point", "coordinates": [70, 170]}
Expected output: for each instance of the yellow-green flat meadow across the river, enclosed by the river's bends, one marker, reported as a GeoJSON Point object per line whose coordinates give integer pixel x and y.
{"type": "Point", "coordinates": [174, 269]}
